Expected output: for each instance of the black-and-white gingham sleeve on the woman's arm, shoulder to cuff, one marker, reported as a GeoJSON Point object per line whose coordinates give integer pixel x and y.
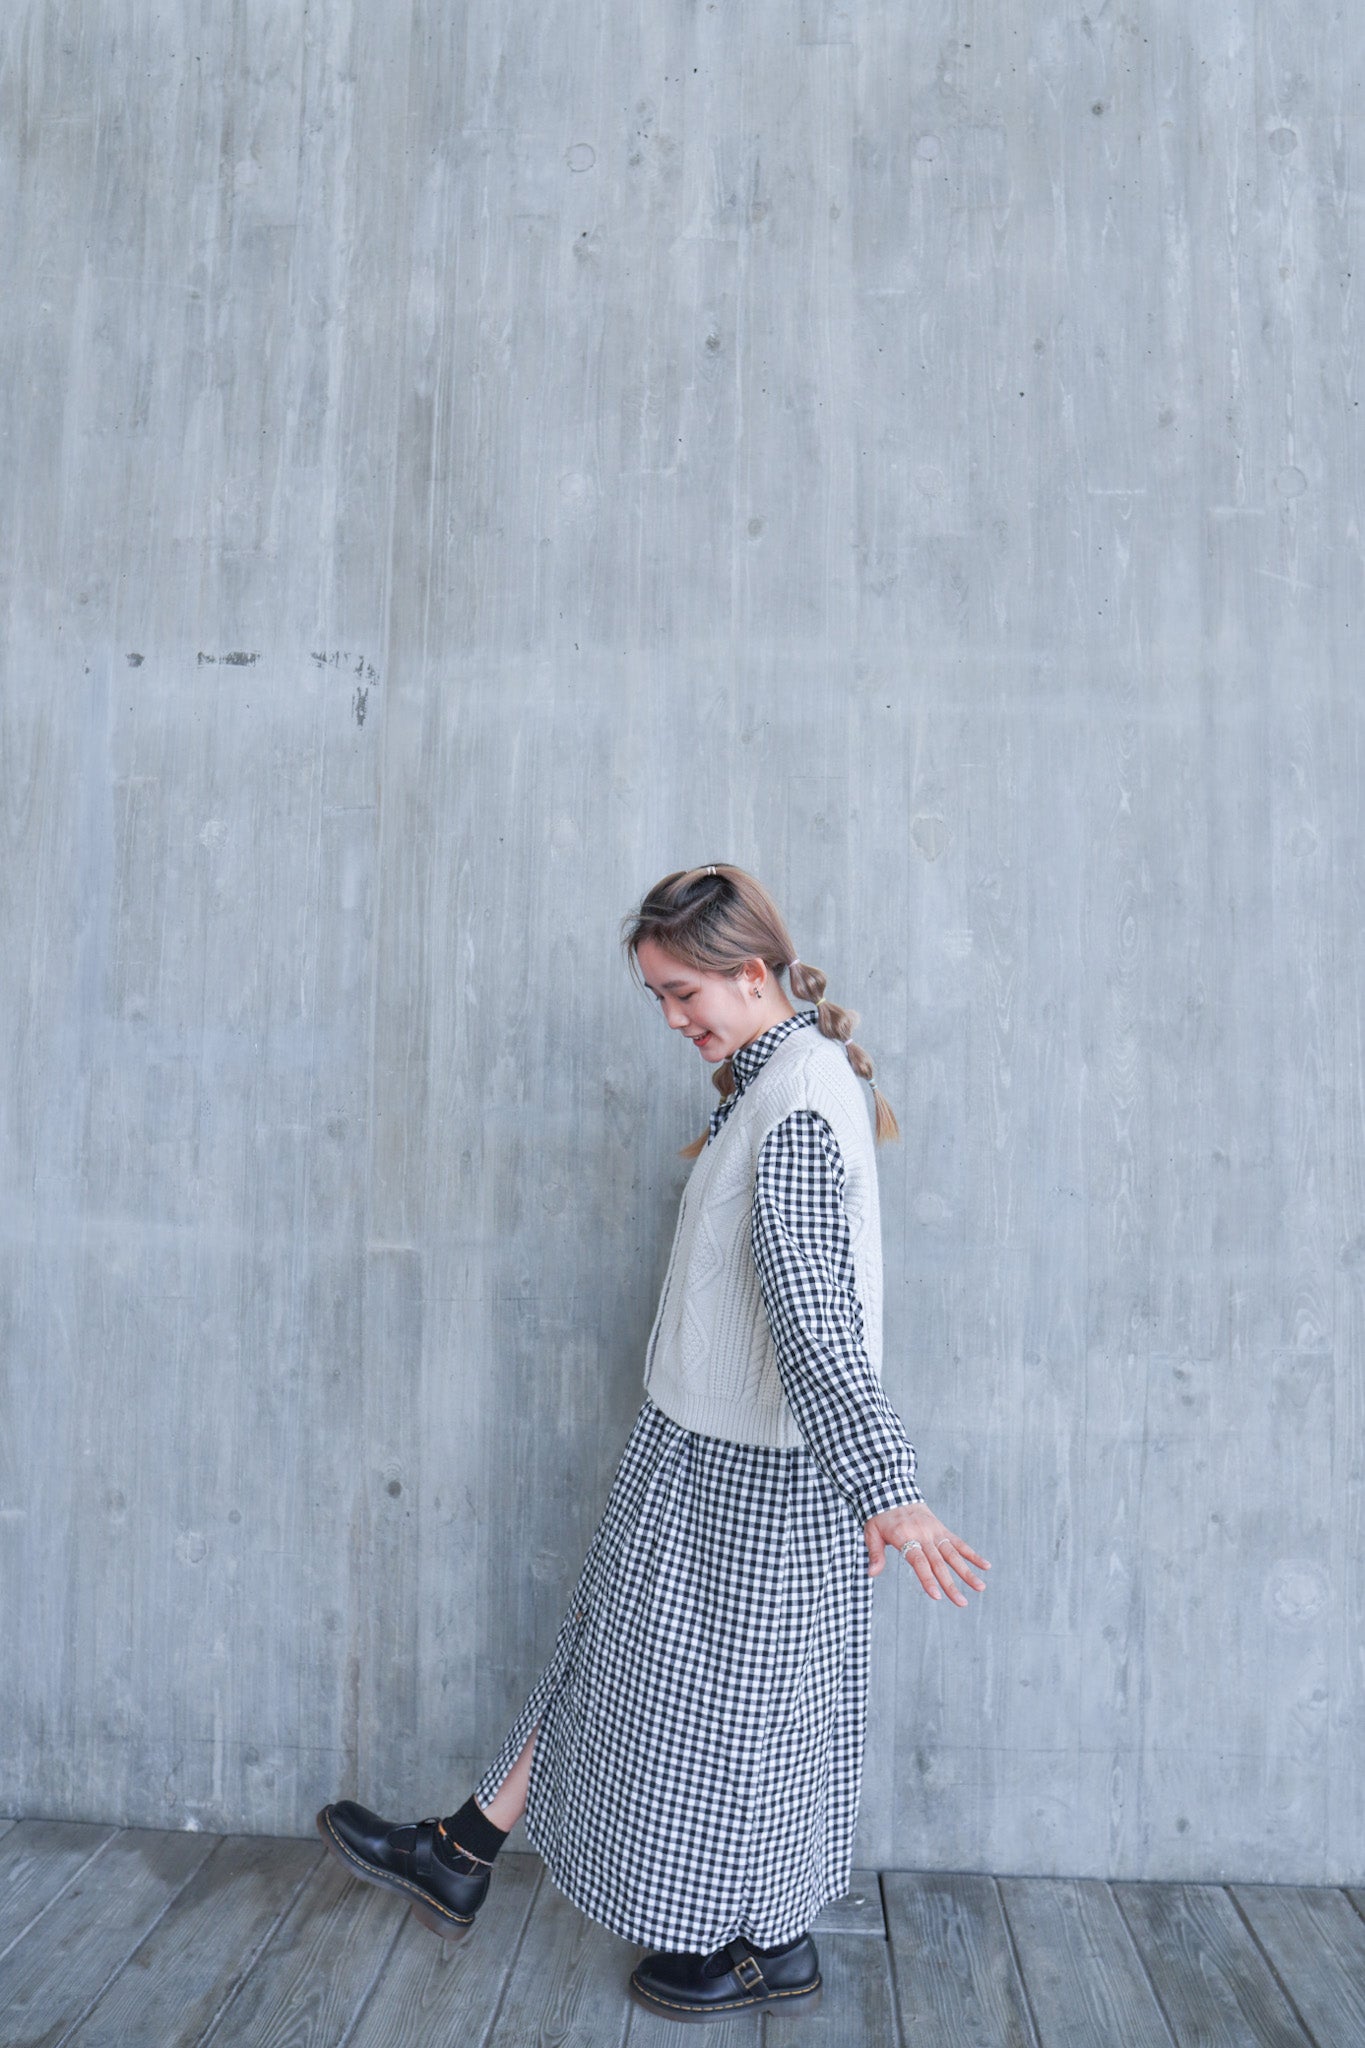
{"type": "Point", "coordinates": [805, 1263]}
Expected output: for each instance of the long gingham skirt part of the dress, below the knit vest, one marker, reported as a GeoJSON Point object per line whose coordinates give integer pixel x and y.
{"type": "Point", "coordinates": [699, 1762]}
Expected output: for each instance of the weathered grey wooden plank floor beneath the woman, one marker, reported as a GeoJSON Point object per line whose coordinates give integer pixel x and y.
{"type": "Point", "coordinates": [181, 1940]}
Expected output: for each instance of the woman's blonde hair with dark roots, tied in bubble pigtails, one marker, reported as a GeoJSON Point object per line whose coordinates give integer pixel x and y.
{"type": "Point", "coordinates": [717, 919]}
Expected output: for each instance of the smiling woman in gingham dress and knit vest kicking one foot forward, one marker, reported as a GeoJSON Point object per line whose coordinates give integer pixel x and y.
{"type": "Point", "coordinates": [691, 1758]}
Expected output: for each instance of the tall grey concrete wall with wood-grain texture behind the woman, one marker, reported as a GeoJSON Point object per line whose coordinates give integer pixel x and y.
{"type": "Point", "coordinates": [464, 462]}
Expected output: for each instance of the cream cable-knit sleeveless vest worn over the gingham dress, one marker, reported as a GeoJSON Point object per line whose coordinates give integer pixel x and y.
{"type": "Point", "coordinates": [711, 1361]}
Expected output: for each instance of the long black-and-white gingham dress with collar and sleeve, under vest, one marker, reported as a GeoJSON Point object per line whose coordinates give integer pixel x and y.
{"type": "Point", "coordinates": [699, 1762]}
